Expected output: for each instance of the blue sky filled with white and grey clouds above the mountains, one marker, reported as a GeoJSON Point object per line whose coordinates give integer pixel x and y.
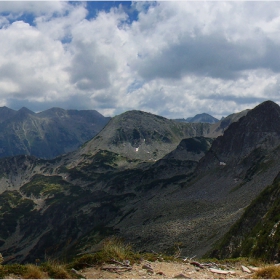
{"type": "Point", "coordinates": [174, 59]}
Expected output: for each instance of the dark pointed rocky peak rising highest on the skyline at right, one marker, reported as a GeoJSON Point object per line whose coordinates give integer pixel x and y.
{"type": "Point", "coordinates": [259, 129]}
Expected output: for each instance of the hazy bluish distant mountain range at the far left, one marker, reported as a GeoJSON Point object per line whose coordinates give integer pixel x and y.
{"type": "Point", "coordinates": [46, 134]}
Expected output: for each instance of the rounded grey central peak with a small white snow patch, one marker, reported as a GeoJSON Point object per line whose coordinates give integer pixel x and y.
{"type": "Point", "coordinates": [144, 136]}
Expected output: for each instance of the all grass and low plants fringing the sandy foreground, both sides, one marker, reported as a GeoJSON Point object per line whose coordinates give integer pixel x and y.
{"type": "Point", "coordinates": [114, 250]}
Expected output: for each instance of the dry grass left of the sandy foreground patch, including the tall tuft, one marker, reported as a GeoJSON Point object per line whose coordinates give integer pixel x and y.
{"type": "Point", "coordinates": [112, 249]}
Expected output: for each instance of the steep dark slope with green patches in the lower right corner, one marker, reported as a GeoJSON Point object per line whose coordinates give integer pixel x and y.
{"type": "Point", "coordinates": [256, 234]}
